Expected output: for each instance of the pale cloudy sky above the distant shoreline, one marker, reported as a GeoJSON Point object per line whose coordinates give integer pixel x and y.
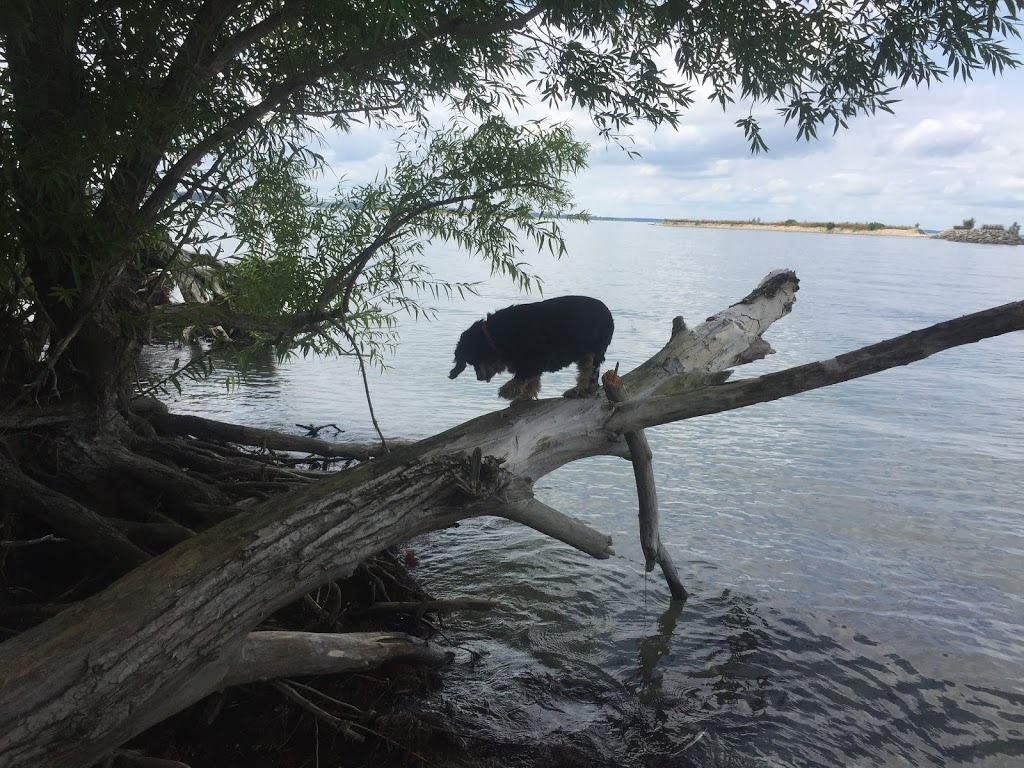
{"type": "Point", "coordinates": [953, 152]}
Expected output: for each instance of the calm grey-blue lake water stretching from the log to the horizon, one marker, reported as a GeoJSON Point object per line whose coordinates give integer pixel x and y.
{"type": "Point", "coordinates": [856, 554]}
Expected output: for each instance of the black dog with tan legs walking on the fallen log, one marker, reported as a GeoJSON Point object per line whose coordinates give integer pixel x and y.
{"type": "Point", "coordinates": [529, 339]}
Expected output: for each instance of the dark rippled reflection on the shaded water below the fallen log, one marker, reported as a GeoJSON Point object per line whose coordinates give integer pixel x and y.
{"type": "Point", "coordinates": [724, 679]}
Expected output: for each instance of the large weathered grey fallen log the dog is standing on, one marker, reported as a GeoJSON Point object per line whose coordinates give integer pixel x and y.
{"type": "Point", "coordinates": [172, 631]}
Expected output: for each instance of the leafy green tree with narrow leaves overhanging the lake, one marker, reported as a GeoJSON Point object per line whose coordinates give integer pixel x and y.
{"type": "Point", "coordinates": [133, 136]}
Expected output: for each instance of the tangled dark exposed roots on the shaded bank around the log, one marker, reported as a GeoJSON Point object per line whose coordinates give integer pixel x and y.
{"type": "Point", "coordinates": [113, 507]}
